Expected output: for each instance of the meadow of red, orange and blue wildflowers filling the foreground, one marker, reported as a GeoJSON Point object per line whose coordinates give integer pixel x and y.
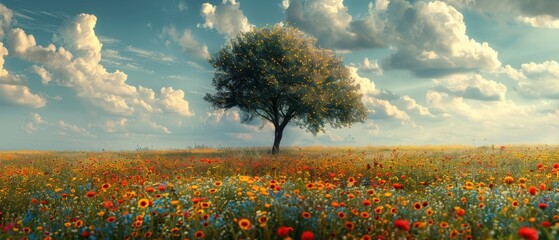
{"type": "Point", "coordinates": [431, 192]}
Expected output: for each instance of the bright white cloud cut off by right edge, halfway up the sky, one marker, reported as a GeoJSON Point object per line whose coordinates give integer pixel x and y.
{"type": "Point", "coordinates": [536, 80]}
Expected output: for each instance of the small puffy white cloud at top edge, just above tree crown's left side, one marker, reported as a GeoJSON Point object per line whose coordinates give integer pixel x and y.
{"type": "Point", "coordinates": [227, 19]}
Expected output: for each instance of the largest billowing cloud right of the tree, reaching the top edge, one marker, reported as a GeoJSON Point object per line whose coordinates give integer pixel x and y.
{"type": "Point", "coordinates": [431, 41]}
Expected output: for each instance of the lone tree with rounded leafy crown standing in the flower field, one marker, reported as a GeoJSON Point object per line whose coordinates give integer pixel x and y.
{"type": "Point", "coordinates": [278, 74]}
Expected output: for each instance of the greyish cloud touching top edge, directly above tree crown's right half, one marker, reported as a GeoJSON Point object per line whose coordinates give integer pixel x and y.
{"type": "Point", "coordinates": [334, 27]}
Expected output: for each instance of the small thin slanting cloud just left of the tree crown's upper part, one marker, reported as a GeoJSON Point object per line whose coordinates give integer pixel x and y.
{"type": "Point", "coordinates": [186, 42]}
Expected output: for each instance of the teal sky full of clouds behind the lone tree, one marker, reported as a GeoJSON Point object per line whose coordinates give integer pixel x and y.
{"type": "Point", "coordinates": [118, 75]}
